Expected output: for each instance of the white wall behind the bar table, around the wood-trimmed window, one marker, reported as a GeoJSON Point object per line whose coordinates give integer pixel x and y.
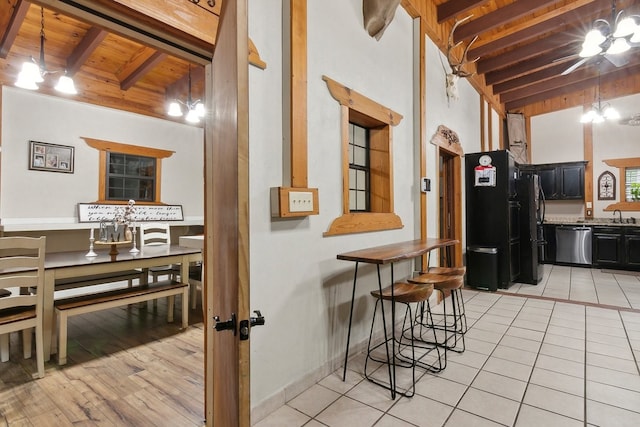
{"type": "Point", "coordinates": [301, 288]}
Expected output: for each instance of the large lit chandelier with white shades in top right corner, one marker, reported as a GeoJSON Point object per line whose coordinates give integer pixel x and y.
{"type": "Point", "coordinates": [612, 37]}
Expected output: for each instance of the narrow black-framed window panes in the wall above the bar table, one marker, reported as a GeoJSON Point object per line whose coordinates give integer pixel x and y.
{"type": "Point", "coordinates": [359, 169]}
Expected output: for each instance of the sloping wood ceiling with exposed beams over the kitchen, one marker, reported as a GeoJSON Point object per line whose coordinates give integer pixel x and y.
{"type": "Point", "coordinates": [525, 46]}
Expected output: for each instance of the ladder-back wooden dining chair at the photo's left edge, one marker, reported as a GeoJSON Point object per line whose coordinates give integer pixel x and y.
{"type": "Point", "coordinates": [21, 303]}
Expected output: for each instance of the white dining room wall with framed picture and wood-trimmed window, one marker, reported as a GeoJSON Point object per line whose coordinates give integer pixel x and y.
{"type": "Point", "coordinates": [39, 200]}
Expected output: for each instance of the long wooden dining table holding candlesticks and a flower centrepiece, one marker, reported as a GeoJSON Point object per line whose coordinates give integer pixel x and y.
{"type": "Point", "coordinates": [76, 264]}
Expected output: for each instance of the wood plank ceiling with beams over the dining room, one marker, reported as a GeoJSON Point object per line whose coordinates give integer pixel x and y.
{"type": "Point", "coordinates": [109, 69]}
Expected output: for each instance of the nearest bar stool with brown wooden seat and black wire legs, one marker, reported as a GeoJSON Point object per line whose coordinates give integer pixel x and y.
{"type": "Point", "coordinates": [405, 293]}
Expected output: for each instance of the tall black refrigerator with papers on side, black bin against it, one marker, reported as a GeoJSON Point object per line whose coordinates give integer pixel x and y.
{"type": "Point", "coordinates": [501, 217]}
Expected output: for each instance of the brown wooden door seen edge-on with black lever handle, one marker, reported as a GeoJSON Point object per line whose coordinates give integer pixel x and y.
{"type": "Point", "coordinates": [227, 399]}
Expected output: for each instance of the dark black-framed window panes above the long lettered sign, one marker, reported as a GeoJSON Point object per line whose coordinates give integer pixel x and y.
{"type": "Point", "coordinates": [130, 177]}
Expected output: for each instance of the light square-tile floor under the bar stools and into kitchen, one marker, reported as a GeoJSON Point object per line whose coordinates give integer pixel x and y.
{"type": "Point", "coordinates": [529, 361]}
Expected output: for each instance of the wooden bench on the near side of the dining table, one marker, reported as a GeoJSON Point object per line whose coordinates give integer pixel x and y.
{"type": "Point", "coordinates": [73, 306]}
